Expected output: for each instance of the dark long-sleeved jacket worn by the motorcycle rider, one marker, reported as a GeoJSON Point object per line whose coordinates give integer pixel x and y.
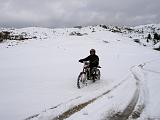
{"type": "Point", "coordinates": [93, 60]}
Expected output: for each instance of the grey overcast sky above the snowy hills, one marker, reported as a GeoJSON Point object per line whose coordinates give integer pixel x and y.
{"type": "Point", "coordinates": [68, 13]}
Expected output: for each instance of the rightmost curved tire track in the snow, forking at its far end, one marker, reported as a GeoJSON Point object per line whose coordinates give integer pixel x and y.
{"type": "Point", "coordinates": [131, 111]}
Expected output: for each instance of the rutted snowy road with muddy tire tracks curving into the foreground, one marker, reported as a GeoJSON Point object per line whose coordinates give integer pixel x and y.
{"type": "Point", "coordinates": [128, 111]}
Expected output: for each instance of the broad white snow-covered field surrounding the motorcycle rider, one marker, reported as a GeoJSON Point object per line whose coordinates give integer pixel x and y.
{"type": "Point", "coordinates": [38, 76]}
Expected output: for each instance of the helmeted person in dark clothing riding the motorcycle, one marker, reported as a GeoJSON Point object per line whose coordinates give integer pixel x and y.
{"type": "Point", "coordinates": [92, 58]}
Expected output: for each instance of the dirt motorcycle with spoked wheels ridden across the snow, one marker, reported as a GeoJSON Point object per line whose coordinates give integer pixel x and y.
{"type": "Point", "coordinates": [88, 74]}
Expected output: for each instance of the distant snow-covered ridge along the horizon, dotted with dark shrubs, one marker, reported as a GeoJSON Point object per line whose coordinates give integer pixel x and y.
{"type": "Point", "coordinates": [137, 34]}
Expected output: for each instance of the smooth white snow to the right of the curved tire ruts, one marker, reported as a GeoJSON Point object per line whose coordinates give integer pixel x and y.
{"type": "Point", "coordinates": [152, 71]}
